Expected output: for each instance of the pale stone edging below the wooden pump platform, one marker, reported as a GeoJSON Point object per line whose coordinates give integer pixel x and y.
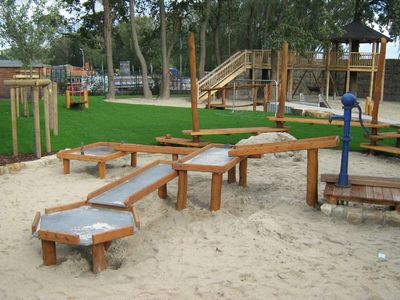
{"type": "Point", "coordinates": [358, 215]}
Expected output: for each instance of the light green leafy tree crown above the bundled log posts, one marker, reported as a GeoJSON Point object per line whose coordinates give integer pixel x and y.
{"type": "Point", "coordinates": [29, 28]}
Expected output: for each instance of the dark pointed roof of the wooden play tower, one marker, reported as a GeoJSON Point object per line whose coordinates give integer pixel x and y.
{"type": "Point", "coordinates": [358, 32]}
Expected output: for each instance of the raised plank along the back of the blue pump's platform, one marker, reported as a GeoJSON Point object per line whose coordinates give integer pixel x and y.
{"type": "Point", "coordinates": [365, 180]}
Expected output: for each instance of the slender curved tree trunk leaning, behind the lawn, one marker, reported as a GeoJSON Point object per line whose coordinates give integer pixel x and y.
{"type": "Point", "coordinates": [146, 90]}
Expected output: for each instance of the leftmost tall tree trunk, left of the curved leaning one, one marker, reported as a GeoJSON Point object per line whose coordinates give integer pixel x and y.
{"type": "Point", "coordinates": [108, 46]}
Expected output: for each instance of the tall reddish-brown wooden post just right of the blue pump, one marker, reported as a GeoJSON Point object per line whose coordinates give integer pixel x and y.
{"type": "Point", "coordinates": [378, 87]}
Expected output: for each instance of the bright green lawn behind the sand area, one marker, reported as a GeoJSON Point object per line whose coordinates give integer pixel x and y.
{"type": "Point", "coordinates": [141, 124]}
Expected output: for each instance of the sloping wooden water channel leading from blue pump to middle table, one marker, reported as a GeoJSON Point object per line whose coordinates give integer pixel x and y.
{"type": "Point", "coordinates": [296, 145]}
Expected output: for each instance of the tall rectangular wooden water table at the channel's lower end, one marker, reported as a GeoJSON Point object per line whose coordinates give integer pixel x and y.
{"type": "Point", "coordinates": [214, 159]}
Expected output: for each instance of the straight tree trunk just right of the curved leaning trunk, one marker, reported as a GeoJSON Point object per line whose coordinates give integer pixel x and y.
{"type": "Point", "coordinates": [164, 92]}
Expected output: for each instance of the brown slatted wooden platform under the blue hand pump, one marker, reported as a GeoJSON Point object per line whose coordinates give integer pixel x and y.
{"type": "Point", "coordinates": [364, 189]}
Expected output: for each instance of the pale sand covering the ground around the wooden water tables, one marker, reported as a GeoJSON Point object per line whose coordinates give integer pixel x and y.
{"type": "Point", "coordinates": [264, 243]}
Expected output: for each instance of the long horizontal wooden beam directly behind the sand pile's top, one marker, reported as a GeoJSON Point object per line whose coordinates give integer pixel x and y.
{"type": "Point", "coordinates": [229, 131]}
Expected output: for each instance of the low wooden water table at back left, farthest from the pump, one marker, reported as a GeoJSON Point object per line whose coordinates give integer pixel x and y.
{"type": "Point", "coordinates": [100, 153]}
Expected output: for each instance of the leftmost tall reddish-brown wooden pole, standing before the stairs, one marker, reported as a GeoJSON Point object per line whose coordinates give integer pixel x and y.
{"type": "Point", "coordinates": [193, 85]}
